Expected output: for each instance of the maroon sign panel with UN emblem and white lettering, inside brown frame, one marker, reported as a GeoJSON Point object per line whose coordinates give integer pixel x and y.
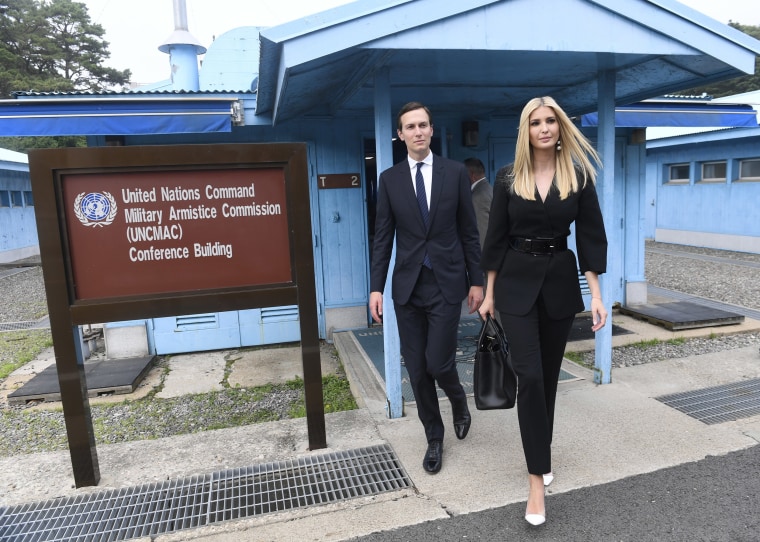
{"type": "Point", "coordinates": [174, 231]}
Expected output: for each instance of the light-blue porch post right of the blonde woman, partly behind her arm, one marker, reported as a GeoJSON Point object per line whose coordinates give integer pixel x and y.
{"type": "Point", "coordinates": [606, 191]}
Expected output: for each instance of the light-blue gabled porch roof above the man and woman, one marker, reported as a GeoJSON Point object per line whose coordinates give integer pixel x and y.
{"type": "Point", "coordinates": [468, 54]}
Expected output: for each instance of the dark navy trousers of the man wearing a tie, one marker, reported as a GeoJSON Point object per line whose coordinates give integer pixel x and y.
{"type": "Point", "coordinates": [427, 328]}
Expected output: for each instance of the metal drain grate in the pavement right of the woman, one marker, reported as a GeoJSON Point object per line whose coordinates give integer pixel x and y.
{"type": "Point", "coordinates": [718, 404]}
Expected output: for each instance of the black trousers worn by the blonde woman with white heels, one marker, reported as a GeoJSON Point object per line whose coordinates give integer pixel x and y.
{"type": "Point", "coordinates": [537, 346]}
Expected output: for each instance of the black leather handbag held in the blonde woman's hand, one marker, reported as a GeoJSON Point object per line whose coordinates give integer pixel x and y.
{"type": "Point", "coordinates": [494, 381]}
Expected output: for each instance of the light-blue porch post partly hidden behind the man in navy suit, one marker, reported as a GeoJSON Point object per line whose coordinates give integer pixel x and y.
{"type": "Point", "coordinates": [384, 132]}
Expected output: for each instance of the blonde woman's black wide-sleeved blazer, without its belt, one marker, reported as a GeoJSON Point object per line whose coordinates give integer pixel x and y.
{"type": "Point", "coordinates": [522, 277]}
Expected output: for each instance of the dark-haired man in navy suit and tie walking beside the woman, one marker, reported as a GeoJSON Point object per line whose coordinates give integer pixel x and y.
{"type": "Point", "coordinates": [425, 202]}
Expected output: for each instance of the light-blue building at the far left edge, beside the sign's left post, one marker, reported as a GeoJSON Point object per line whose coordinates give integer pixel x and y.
{"type": "Point", "coordinates": [18, 230]}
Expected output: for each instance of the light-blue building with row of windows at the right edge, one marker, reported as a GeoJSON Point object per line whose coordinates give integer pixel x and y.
{"type": "Point", "coordinates": [703, 184]}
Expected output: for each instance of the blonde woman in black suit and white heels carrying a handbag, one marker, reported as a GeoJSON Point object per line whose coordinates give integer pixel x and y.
{"type": "Point", "coordinates": [533, 277]}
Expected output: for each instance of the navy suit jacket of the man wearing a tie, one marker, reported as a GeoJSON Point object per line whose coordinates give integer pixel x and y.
{"type": "Point", "coordinates": [451, 238]}
